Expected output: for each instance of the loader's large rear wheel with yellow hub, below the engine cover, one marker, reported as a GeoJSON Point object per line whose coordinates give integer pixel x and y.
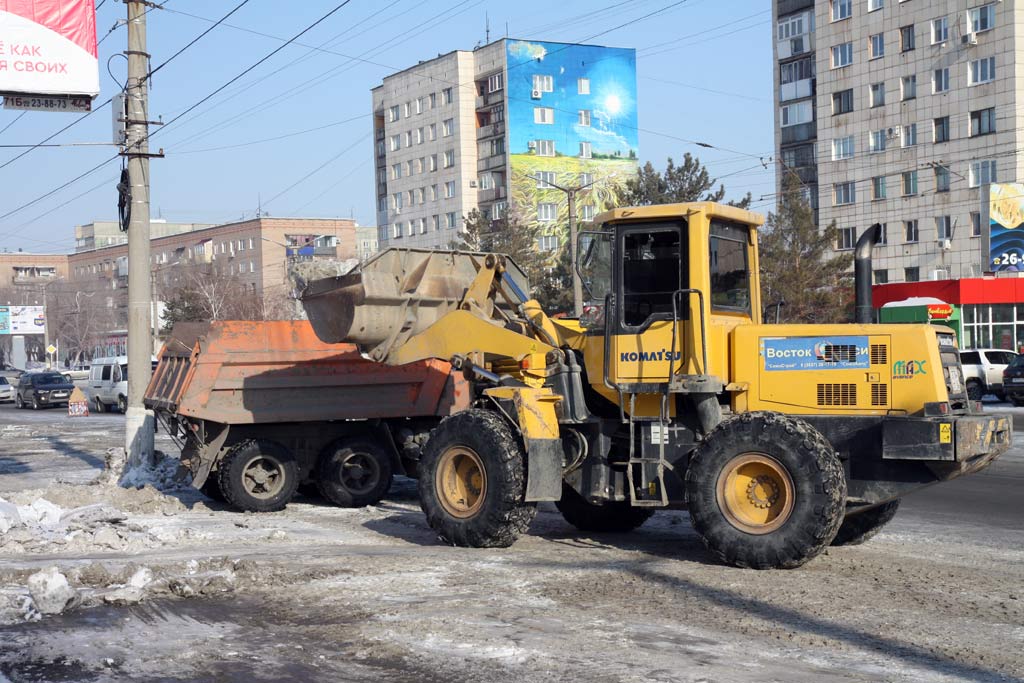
{"type": "Point", "coordinates": [765, 491]}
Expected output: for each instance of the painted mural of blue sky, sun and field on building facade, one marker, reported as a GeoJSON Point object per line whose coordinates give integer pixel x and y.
{"type": "Point", "coordinates": [572, 120]}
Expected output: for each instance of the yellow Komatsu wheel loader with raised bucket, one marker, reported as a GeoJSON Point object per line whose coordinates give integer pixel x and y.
{"type": "Point", "coordinates": [669, 393]}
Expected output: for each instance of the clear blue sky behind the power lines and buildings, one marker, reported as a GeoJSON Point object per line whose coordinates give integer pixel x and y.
{"type": "Point", "coordinates": [704, 72]}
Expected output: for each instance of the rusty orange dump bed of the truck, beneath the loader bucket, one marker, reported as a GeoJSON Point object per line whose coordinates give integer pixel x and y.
{"type": "Point", "coordinates": [238, 373]}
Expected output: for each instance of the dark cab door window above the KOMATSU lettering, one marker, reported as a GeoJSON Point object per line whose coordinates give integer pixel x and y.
{"type": "Point", "coordinates": [654, 266]}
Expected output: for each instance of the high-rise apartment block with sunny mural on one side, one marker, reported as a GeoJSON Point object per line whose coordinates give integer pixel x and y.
{"type": "Point", "coordinates": [496, 130]}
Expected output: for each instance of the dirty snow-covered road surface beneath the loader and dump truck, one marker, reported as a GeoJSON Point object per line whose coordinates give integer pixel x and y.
{"type": "Point", "coordinates": [102, 583]}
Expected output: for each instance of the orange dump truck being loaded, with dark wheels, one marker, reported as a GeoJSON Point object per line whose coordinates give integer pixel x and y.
{"type": "Point", "coordinates": [261, 408]}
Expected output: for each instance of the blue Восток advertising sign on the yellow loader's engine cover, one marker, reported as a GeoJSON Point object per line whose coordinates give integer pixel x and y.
{"type": "Point", "coordinates": [816, 353]}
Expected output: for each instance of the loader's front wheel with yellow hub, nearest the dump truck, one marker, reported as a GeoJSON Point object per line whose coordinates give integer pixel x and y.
{"type": "Point", "coordinates": [474, 481]}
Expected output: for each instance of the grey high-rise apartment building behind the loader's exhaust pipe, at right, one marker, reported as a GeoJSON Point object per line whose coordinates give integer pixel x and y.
{"type": "Point", "coordinates": [902, 112]}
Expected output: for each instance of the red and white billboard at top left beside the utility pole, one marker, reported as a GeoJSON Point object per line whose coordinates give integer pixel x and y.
{"type": "Point", "coordinates": [49, 48]}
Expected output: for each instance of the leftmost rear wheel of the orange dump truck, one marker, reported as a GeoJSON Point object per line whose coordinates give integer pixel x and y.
{"type": "Point", "coordinates": [259, 476]}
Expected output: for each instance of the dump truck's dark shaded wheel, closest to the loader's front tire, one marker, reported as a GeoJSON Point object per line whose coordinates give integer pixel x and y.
{"type": "Point", "coordinates": [354, 474]}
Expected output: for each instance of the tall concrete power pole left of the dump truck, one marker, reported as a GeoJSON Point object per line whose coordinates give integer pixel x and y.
{"type": "Point", "coordinates": [139, 422]}
